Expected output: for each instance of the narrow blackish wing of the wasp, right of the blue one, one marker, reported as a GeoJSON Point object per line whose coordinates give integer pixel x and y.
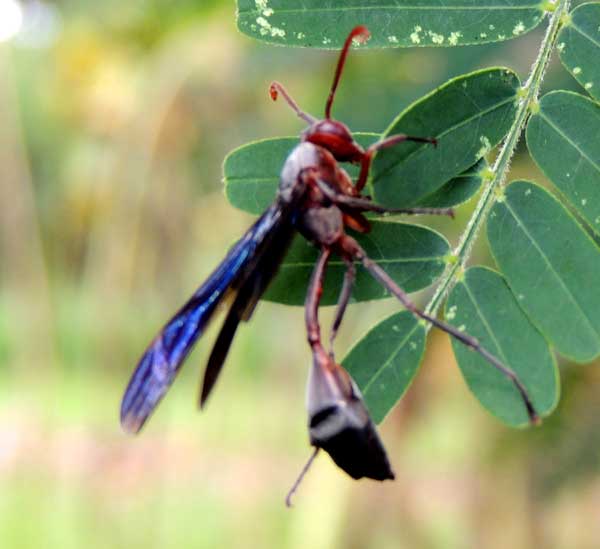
{"type": "Point", "coordinates": [243, 306]}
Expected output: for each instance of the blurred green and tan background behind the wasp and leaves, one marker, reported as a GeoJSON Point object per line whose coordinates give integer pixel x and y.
{"type": "Point", "coordinates": [114, 120]}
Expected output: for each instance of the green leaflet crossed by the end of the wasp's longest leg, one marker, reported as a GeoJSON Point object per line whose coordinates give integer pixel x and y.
{"type": "Point", "coordinates": [484, 306]}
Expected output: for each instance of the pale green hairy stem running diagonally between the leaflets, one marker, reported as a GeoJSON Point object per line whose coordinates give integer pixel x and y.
{"type": "Point", "coordinates": [498, 173]}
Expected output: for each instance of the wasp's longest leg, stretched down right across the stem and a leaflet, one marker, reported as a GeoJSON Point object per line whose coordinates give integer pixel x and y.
{"type": "Point", "coordinates": [351, 246]}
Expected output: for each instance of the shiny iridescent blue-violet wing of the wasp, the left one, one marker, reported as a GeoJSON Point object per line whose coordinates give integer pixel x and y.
{"type": "Point", "coordinates": [160, 363]}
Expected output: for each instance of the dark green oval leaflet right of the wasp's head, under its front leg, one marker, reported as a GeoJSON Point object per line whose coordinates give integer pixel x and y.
{"type": "Point", "coordinates": [468, 115]}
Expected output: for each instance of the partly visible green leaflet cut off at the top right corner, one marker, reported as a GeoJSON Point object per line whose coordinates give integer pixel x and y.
{"type": "Point", "coordinates": [579, 47]}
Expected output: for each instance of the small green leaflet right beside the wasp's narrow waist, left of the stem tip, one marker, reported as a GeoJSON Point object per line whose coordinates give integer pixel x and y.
{"type": "Point", "coordinates": [384, 362]}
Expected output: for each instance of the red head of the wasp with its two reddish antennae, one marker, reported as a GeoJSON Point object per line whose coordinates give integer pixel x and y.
{"type": "Point", "coordinates": [328, 133]}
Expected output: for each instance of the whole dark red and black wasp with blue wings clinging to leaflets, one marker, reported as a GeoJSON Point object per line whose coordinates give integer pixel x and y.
{"type": "Point", "coordinates": [317, 198]}
